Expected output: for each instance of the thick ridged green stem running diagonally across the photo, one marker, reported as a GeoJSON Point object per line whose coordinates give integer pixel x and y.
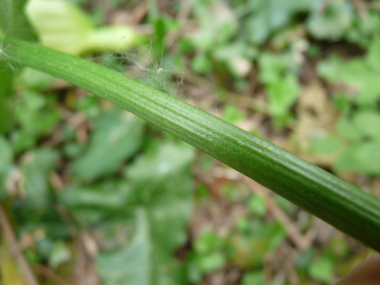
{"type": "Point", "coordinates": [333, 200]}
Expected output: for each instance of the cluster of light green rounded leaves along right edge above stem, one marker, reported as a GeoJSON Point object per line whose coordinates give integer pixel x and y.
{"type": "Point", "coordinates": [357, 131]}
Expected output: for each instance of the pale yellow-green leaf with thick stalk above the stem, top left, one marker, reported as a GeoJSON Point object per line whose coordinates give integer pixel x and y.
{"type": "Point", "coordinates": [63, 26]}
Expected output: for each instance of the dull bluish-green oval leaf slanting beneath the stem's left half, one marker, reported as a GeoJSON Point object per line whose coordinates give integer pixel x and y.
{"type": "Point", "coordinates": [116, 137]}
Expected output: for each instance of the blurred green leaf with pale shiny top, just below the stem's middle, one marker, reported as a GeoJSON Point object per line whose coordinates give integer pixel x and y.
{"type": "Point", "coordinates": [161, 181]}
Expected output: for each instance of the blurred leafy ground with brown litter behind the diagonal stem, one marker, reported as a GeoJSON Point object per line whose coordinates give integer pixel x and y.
{"type": "Point", "coordinates": [97, 196]}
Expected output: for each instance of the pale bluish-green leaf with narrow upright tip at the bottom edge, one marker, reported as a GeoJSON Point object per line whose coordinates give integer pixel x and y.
{"type": "Point", "coordinates": [141, 262]}
